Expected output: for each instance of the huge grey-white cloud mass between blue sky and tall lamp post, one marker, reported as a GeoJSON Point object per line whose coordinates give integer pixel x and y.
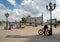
{"type": "Point", "coordinates": [32, 7]}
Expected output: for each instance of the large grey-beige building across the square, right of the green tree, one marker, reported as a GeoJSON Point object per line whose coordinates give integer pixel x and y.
{"type": "Point", "coordinates": [33, 20]}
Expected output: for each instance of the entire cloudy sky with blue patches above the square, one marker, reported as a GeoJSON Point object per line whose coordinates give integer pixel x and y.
{"type": "Point", "coordinates": [21, 8]}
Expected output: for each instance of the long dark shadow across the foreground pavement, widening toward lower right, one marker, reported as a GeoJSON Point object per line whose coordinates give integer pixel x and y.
{"type": "Point", "coordinates": [38, 38]}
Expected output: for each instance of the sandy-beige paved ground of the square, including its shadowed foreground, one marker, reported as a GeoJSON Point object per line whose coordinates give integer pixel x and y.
{"type": "Point", "coordinates": [28, 34]}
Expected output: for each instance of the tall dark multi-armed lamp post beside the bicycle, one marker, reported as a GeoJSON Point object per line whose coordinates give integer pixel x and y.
{"type": "Point", "coordinates": [50, 8]}
